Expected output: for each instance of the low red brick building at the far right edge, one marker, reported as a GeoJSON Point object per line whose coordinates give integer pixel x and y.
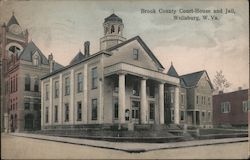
{"type": "Point", "coordinates": [231, 109]}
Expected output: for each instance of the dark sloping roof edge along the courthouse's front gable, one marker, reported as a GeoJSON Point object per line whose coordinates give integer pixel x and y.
{"type": "Point", "coordinates": [144, 46]}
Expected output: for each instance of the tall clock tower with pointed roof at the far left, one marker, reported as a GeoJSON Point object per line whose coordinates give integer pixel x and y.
{"type": "Point", "coordinates": [13, 39]}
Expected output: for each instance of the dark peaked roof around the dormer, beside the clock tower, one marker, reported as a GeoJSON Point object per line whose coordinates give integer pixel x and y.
{"type": "Point", "coordinates": [29, 50]}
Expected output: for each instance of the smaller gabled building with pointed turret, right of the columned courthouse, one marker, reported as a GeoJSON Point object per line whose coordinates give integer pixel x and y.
{"type": "Point", "coordinates": [195, 100]}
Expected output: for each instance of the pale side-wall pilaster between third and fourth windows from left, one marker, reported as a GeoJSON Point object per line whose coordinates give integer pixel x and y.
{"type": "Point", "coordinates": [72, 96]}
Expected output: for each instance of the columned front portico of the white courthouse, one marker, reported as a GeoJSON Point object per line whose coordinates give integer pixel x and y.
{"type": "Point", "coordinates": [140, 92]}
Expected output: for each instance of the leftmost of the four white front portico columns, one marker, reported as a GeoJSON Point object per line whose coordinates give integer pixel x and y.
{"type": "Point", "coordinates": [122, 98]}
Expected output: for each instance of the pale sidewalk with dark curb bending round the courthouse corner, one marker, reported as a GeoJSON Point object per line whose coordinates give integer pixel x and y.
{"type": "Point", "coordinates": [131, 147]}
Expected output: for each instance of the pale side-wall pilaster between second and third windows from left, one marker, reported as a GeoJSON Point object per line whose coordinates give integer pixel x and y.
{"type": "Point", "coordinates": [60, 107]}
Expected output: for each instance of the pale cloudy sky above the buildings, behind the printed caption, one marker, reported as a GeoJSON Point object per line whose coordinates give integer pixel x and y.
{"type": "Point", "coordinates": [62, 27]}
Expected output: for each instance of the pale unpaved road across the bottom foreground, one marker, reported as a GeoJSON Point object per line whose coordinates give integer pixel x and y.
{"type": "Point", "coordinates": [13, 147]}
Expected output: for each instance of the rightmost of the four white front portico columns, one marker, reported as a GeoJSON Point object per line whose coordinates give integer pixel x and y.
{"type": "Point", "coordinates": [177, 106]}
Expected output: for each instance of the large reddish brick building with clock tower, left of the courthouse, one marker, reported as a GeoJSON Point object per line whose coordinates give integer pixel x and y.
{"type": "Point", "coordinates": [22, 65]}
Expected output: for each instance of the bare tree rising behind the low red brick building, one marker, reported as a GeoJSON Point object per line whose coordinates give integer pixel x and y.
{"type": "Point", "coordinates": [220, 82]}
